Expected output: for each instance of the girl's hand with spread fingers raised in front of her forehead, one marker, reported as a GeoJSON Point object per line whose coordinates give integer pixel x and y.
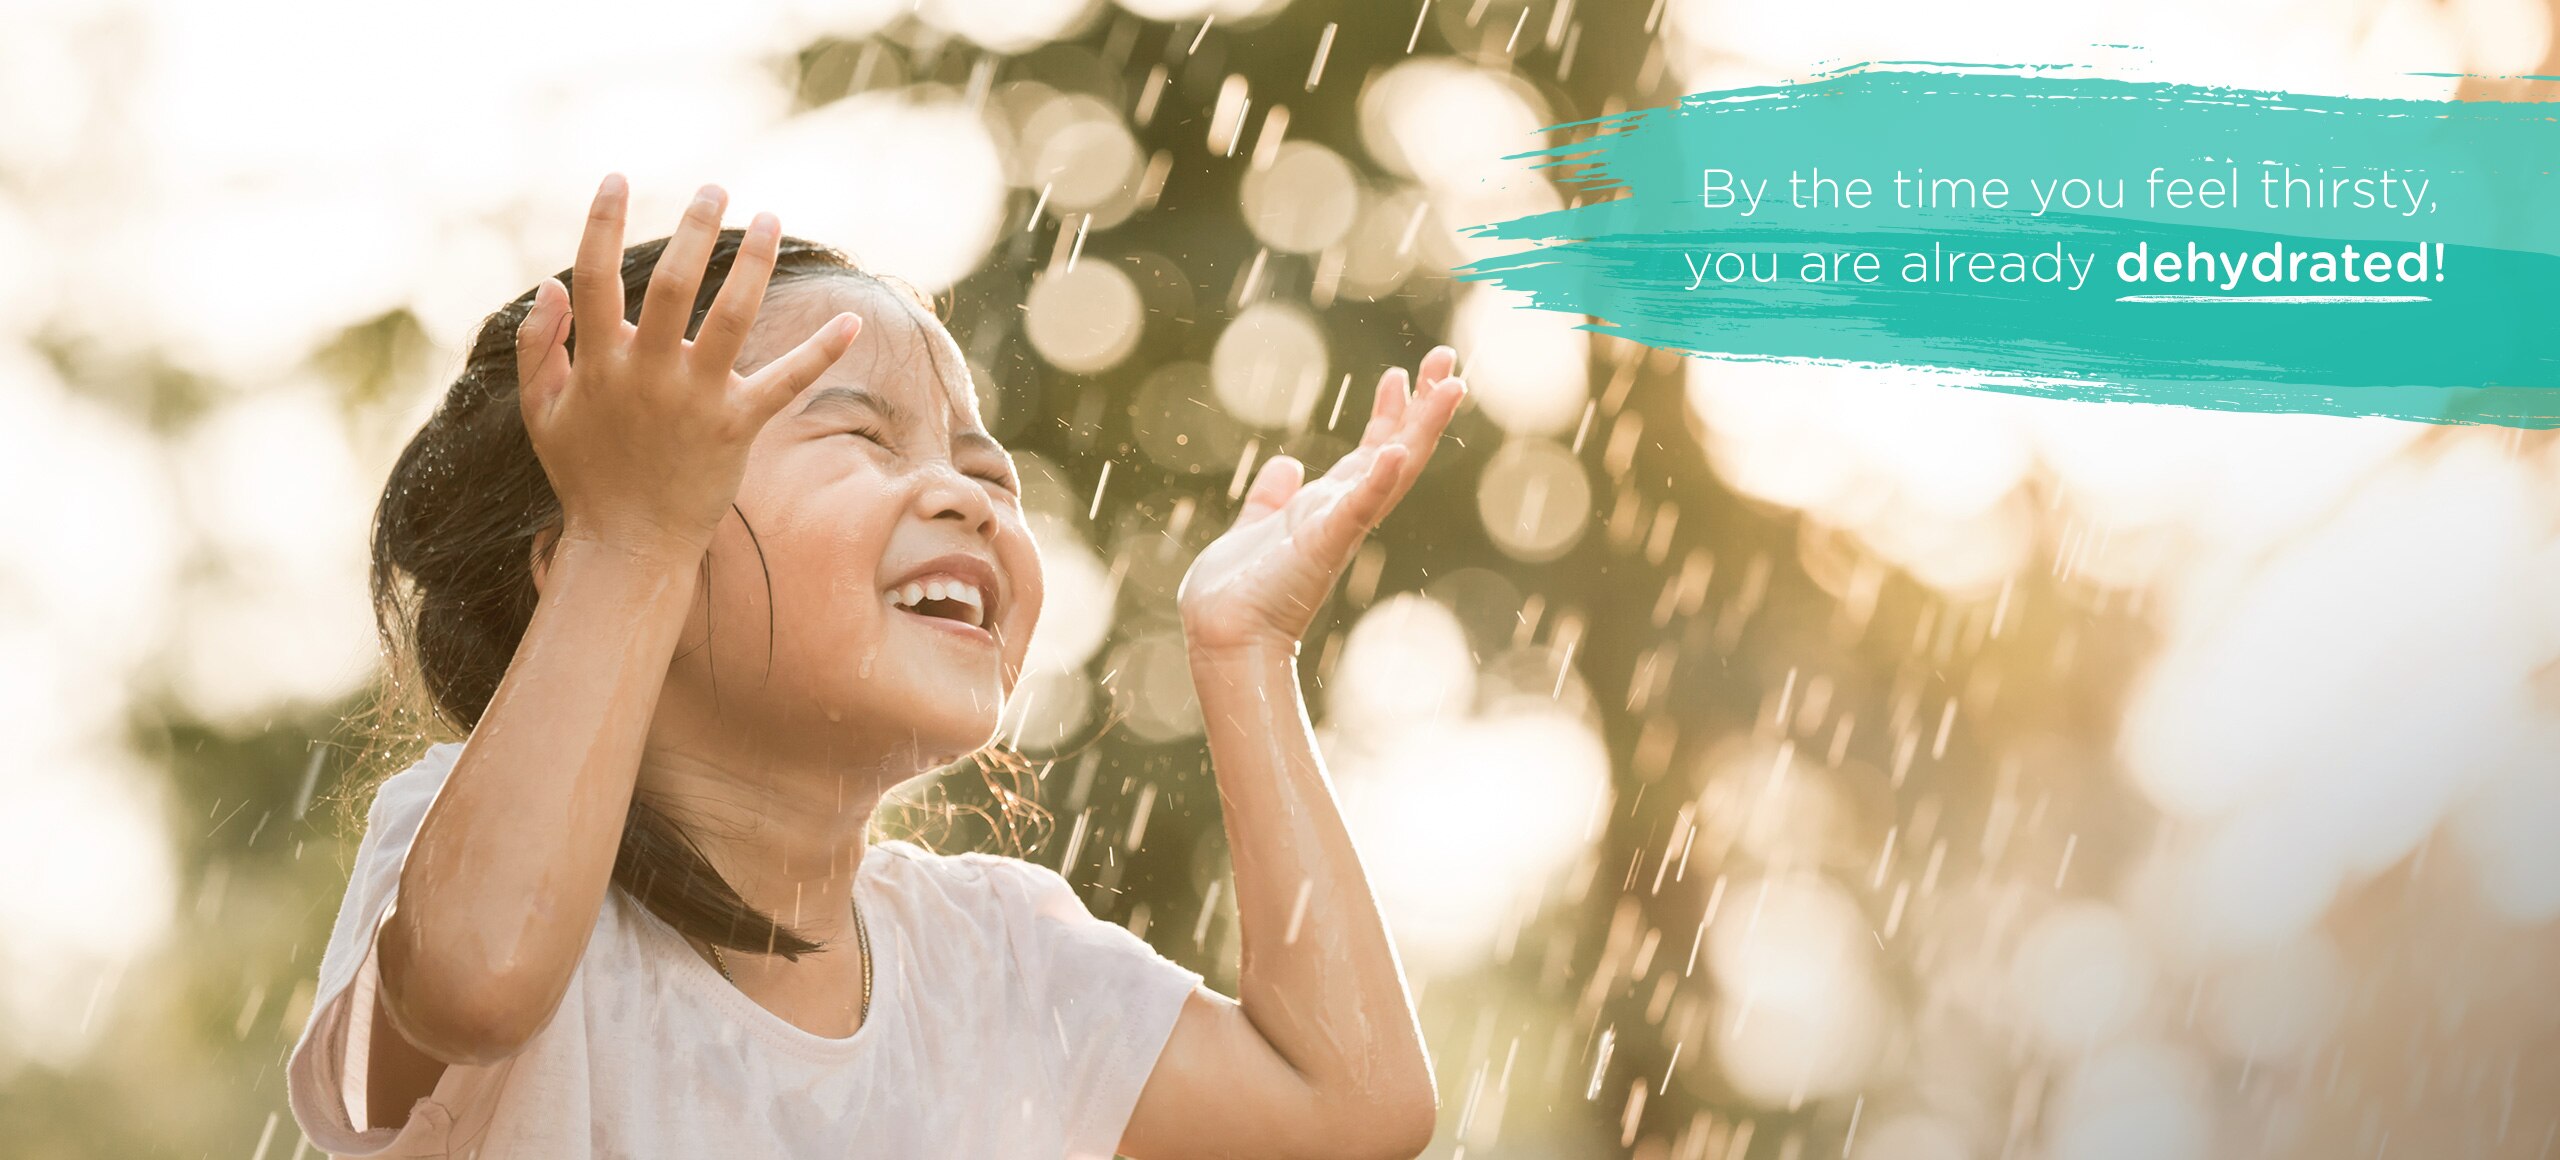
{"type": "Point", "coordinates": [646, 434]}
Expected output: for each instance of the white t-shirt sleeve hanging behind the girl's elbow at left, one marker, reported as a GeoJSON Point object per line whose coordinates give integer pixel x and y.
{"type": "Point", "coordinates": [326, 1074]}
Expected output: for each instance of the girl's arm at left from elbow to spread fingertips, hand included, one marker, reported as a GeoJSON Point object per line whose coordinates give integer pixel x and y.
{"type": "Point", "coordinates": [644, 439]}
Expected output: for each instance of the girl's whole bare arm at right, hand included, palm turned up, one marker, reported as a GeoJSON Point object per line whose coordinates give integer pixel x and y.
{"type": "Point", "coordinates": [1322, 1054]}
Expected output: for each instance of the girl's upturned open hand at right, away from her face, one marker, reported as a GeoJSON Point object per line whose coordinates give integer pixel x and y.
{"type": "Point", "coordinates": [1266, 577]}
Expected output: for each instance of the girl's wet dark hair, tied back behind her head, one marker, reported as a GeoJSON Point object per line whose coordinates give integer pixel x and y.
{"type": "Point", "coordinates": [454, 593]}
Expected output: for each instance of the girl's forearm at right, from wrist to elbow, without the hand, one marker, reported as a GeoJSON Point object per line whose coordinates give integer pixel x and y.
{"type": "Point", "coordinates": [1320, 974]}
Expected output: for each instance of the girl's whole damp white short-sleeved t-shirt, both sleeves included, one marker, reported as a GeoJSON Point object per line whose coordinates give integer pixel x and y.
{"type": "Point", "coordinates": [1005, 1023]}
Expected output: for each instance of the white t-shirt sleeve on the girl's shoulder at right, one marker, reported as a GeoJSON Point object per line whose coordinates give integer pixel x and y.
{"type": "Point", "coordinates": [1102, 1000]}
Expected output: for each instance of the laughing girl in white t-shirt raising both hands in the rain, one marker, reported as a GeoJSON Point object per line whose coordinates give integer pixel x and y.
{"type": "Point", "coordinates": [700, 577]}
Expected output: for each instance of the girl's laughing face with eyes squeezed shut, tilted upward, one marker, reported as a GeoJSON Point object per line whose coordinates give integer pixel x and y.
{"type": "Point", "coordinates": [838, 521]}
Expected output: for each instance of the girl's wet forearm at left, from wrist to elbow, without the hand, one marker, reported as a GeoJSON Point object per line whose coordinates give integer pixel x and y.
{"type": "Point", "coordinates": [503, 885]}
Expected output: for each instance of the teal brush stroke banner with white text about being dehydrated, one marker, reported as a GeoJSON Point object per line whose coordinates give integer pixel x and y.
{"type": "Point", "coordinates": [2454, 204]}
